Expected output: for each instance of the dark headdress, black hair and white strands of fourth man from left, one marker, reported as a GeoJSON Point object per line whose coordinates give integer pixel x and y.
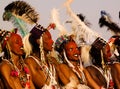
{"type": "Point", "coordinates": [100, 62]}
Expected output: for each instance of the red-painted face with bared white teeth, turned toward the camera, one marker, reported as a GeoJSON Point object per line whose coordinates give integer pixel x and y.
{"type": "Point", "coordinates": [72, 51]}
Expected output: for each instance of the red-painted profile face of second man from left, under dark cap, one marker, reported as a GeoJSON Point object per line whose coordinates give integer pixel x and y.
{"type": "Point", "coordinates": [47, 41]}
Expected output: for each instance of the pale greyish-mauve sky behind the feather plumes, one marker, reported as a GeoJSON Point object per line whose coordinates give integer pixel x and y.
{"type": "Point", "coordinates": [89, 8]}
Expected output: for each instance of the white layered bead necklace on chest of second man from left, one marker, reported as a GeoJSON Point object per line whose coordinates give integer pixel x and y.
{"type": "Point", "coordinates": [49, 73]}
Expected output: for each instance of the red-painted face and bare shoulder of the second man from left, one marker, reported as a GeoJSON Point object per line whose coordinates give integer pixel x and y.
{"type": "Point", "coordinates": [39, 77]}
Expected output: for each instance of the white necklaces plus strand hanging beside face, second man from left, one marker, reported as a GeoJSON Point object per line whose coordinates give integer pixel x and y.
{"type": "Point", "coordinates": [47, 68]}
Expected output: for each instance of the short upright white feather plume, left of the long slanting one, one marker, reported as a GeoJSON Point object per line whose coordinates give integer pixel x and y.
{"type": "Point", "coordinates": [55, 18]}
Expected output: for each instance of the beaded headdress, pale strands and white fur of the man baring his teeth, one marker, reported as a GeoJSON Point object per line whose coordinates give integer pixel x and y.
{"type": "Point", "coordinates": [59, 47]}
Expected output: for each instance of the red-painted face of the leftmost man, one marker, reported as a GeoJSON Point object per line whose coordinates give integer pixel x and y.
{"type": "Point", "coordinates": [15, 43]}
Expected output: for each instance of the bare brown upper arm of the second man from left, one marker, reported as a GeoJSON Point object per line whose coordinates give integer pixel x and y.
{"type": "Point", "coordinates": [37, 73]}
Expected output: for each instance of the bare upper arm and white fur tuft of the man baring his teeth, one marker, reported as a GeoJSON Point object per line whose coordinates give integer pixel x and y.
{"type": "Point", "coordinates": [67, 76]}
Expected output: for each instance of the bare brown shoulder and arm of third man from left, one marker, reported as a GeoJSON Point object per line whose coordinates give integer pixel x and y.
{"type": "Point", "coordinates": [63, 71]}
